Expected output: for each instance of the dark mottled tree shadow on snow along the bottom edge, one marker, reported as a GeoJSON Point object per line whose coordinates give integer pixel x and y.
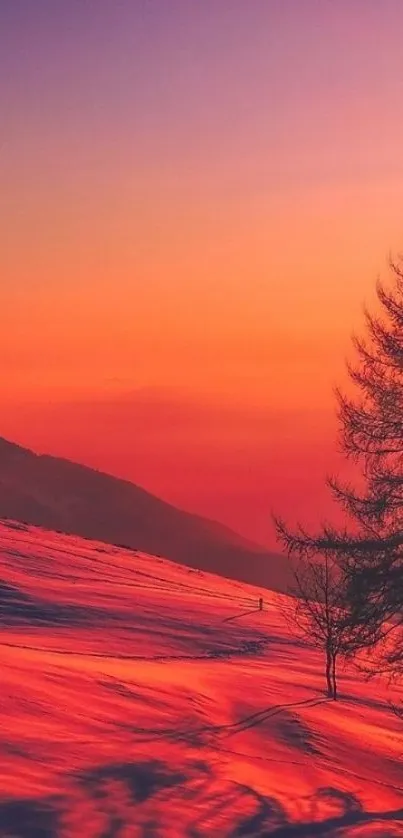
{"type": "Point", "coordinates": [149, 795]}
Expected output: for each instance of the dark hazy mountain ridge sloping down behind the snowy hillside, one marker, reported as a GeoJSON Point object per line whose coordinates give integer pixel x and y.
{"type": "Point", "coordinates": [65, 496]}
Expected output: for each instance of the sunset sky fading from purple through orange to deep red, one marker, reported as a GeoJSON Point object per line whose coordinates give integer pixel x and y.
{"type": "Point", "coordinates": [197, 197]}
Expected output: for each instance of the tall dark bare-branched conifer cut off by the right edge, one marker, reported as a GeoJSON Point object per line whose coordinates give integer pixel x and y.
{"type": "Point", "coordinates": [369, 552]}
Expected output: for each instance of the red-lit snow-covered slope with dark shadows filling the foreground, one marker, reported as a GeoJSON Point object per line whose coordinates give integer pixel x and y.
{"type": "Point", "coordinates": [140, 697]}
